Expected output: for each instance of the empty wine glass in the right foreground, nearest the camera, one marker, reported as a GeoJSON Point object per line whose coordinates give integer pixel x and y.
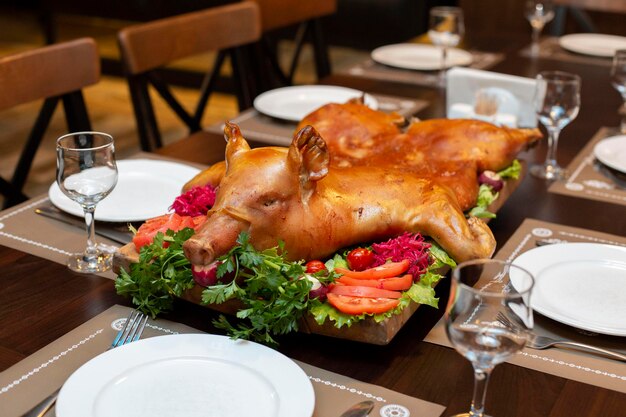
{"type": "Point", "coordinates": [488, 317]}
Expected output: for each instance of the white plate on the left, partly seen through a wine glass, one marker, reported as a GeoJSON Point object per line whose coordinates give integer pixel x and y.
{"type": "Point", "coordinates": [145, 189]}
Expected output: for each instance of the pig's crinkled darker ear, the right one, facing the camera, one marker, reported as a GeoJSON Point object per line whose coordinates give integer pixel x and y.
{"type": "Point", "coordinates": [308, 155]}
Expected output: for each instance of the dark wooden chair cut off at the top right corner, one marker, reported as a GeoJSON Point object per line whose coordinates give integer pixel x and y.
{"type": "Point", "coordinates": [578, 10]}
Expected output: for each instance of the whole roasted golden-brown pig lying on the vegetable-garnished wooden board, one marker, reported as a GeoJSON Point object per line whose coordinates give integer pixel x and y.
{"type": "Point", "coordinates": [352, 175]}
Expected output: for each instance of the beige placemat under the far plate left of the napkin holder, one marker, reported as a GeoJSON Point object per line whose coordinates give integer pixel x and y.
{"type": "Point", "coordinates": [373, 70]}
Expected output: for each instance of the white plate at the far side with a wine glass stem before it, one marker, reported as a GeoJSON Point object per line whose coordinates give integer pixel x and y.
{"type": "Point", "coordinates": [419, 57]}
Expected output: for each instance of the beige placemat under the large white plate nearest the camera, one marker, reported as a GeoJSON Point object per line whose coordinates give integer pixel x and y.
{"type": "Point", "coordinates": [25, 384]}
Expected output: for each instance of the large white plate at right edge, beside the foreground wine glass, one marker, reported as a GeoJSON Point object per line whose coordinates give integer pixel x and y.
{"type": "Point", "coordinates": [580, 284]}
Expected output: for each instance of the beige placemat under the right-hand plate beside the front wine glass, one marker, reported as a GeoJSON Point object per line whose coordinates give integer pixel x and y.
{"type": "Point", "coordinates": [569, 364]}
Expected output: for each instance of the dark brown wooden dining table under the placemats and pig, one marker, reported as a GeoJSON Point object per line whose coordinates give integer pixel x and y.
{"type": "Point", "coordinates": [40, 301]}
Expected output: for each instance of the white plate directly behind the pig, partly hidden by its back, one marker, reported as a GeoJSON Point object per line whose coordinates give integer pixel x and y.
{"type": "Point", "coordinates": [294, 103]}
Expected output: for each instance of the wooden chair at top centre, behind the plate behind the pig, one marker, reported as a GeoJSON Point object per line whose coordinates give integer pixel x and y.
{"type": "Point", "coordinates": [281, 14]}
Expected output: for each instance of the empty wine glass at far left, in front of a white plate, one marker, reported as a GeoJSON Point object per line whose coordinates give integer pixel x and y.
{"type": "Point", "coordinates": [87, 173]}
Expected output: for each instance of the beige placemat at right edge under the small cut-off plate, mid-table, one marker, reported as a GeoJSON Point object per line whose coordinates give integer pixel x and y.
{"type": "Point", "coordinates": [589, 178]}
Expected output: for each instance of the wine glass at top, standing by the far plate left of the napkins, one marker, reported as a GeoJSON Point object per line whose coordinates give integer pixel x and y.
{"type": "Point", "coordinates": [446, 28]}
